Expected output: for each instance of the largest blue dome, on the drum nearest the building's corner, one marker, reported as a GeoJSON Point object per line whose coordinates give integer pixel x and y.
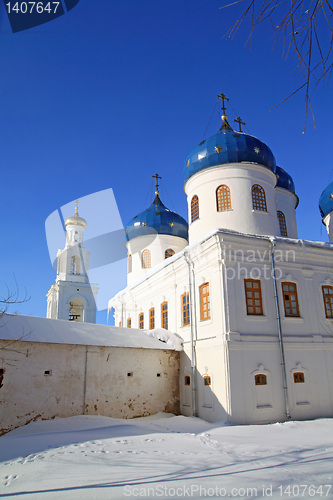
{"type": "Point", "coordinates": [228, 146]}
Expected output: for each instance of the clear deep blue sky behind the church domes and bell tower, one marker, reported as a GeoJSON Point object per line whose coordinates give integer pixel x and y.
{"type": "Point", "coordinates": [113, 92]}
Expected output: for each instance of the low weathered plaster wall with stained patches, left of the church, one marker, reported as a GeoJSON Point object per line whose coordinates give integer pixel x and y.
{"type": "Point", "coordinates": [47, 380]}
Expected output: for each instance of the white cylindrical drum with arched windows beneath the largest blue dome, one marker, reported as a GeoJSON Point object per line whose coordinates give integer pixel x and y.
{"type": "Point", "coordinates": [239, 177]}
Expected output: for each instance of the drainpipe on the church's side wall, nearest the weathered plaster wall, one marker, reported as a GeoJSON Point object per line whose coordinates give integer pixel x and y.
{"type": "Point", "coordinates": [193, 332]}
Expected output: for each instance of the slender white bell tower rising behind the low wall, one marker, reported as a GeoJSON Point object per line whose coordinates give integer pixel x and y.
{"type": "Point", "coordinates": [72, 297]}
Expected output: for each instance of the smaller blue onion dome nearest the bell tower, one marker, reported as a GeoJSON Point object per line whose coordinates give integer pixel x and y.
{"type": "Point", "coordinates": [157, 219]}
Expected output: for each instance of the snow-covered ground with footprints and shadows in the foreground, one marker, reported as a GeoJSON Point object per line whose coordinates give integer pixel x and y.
{"type": "Point", "coordinates": [164, 456]}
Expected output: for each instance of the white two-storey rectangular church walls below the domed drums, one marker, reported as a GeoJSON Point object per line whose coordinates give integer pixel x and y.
{"type": "Point", "coordinates": [231, 347]}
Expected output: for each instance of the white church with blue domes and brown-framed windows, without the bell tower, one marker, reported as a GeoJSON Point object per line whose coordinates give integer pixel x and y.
{"type": "Point", "coordinates": [252, 303]}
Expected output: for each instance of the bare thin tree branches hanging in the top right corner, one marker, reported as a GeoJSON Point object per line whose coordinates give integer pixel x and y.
{"type": "Point", "coordinates": [305, 29]}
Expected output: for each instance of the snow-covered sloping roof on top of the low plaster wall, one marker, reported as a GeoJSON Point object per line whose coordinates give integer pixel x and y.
{"type": "Point", "coordinates": [56, 331]}
